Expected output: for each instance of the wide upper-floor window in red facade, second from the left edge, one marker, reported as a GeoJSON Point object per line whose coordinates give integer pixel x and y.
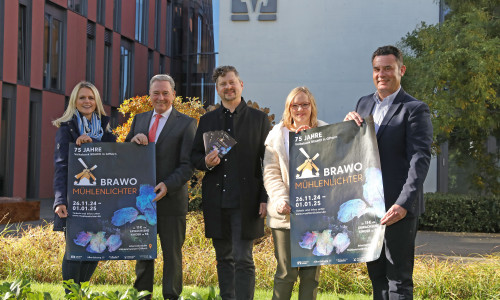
{"type": "Point", "coordinates": [53, 49]}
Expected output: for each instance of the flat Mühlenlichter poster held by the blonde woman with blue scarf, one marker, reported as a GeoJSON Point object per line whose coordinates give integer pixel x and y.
{"type": "Point", "coordinates": [110, 192]}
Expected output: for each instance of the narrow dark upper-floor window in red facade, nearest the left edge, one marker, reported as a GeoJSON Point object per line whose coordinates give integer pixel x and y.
{"type": "Point", "coordinates": [23, 49]}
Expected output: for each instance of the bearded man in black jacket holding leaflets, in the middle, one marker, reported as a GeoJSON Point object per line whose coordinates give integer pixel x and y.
{"type": "Point", "coordinates": [234, 198]}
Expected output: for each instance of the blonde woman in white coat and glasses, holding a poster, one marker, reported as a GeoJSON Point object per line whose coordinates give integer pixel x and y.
{"type": "Point", "coordinates": [300, 114]}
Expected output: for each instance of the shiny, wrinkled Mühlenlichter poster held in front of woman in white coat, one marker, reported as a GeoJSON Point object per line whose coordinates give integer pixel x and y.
{"type": "Point", "coordinates": [336, 195]}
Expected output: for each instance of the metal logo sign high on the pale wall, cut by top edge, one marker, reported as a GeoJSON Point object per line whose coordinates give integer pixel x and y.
{"type": "Point", "coordinates": [265, 10]}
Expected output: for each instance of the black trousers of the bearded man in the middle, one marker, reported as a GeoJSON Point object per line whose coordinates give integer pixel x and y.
{"type": "Point", "coordinates": [235, 266]}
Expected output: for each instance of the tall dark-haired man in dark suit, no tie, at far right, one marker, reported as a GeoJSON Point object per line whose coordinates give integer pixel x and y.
{"type": "Point", "coordinates": [404, 136]}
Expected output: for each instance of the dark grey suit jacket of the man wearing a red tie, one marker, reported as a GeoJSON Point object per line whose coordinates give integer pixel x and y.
{"type": "Point", "coordinates": [173, 165]}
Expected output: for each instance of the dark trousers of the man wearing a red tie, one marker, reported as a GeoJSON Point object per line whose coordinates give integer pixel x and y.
{"type": "Point", "coordinates": [172, 232]}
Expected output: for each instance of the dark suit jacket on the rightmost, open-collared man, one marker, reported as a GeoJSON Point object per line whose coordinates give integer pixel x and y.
{"type": "Point", "coordinates": [404, 142]}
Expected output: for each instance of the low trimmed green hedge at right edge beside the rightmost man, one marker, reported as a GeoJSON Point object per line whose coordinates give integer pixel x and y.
{"type": "Point", "coordinates": [461, 213]}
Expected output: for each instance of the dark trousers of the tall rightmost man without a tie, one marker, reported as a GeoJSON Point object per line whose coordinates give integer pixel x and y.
{"type": "Point", "coordinates": [392, 273]}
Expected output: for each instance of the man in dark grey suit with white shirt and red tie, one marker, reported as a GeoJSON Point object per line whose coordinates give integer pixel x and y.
{"type": "Point", "coordinates": [173, 133]}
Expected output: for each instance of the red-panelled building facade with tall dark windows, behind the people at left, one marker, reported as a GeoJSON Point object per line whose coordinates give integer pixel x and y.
{"type": "Point", "coordinates": [48, 46]}
